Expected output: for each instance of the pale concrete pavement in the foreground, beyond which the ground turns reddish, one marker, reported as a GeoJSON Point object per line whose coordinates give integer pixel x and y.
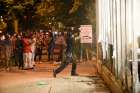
{"type": "Point", "coordinates": [60, 85]}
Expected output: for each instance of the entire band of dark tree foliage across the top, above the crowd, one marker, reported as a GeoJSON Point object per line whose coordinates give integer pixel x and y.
{"type": "Point", "coordinates": [41, 12]}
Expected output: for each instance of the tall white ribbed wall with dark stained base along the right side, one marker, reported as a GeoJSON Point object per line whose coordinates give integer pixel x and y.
{"type": "Point", "coordinates": [118, 43]}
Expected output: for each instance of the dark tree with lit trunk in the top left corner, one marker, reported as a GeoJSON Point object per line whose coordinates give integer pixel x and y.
{"type": "Point", "coordinates": [15, 12]}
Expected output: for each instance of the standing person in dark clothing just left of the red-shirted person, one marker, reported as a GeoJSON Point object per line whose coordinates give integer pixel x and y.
{"type": "Point", "coordinates": [19, 52]}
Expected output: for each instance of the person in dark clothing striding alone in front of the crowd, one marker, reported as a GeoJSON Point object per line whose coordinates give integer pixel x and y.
{"type": "Point", "coordinates": [69, 57]}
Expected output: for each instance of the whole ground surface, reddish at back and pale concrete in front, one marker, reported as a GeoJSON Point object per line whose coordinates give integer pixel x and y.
{"type": "Point", "coordinates": [41, 80]}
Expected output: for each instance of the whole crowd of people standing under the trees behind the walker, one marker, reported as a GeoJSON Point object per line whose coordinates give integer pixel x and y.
{"type": "Point", "coordinates": [25, 49]}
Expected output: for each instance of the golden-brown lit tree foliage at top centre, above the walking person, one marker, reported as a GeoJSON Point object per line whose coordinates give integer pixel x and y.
{"type": "Point", "coordinates": [61, 10]}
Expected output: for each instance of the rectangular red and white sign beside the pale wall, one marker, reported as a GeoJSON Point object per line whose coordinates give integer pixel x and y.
{"type": "Point", "coordinates": [86, 33]}
